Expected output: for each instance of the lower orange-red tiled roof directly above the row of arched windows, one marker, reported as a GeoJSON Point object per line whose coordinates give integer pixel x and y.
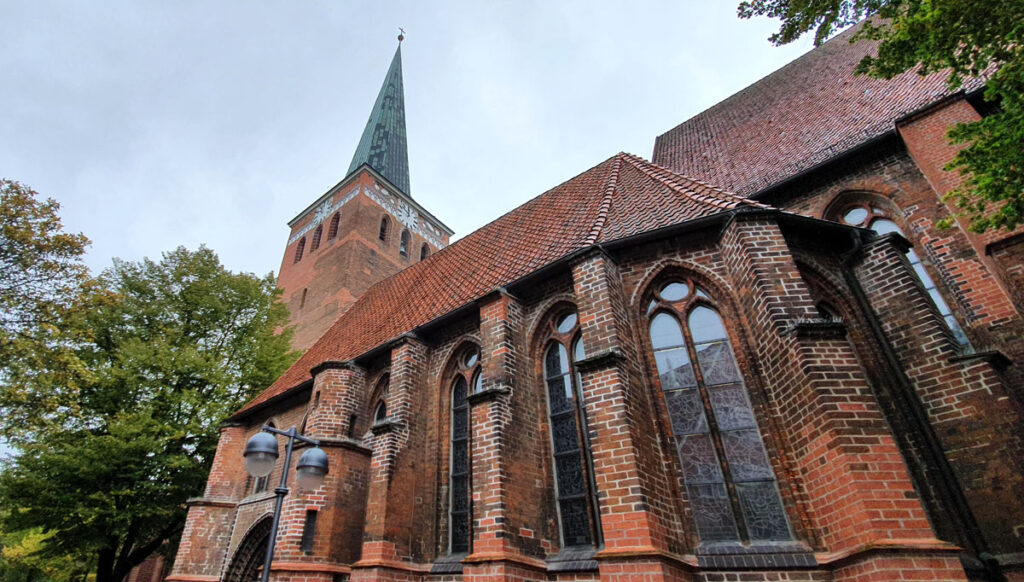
{"type": "Point", "coordinates": [621, 197]}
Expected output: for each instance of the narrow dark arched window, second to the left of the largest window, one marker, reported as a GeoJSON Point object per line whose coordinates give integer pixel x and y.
{"type": "Point", "coordinates": [467, 375]}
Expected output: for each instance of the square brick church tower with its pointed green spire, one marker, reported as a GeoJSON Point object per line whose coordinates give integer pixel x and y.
{"type": "Point", "coordinates": [364, 230]}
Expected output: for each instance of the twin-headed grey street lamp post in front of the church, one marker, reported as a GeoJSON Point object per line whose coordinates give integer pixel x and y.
{"type": "Point", "coordinates": [262, 454]}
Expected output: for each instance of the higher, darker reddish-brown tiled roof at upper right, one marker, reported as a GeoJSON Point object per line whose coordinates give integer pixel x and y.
{"type": "Point", "coordinates": [800, 116]}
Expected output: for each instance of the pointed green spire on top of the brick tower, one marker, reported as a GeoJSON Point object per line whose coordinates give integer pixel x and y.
{"type": "Point", "coordinates": [383, 143]}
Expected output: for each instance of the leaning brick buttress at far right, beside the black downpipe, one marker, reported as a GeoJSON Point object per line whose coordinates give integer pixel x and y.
{"type": "Point", "coordinates": [976, 418]}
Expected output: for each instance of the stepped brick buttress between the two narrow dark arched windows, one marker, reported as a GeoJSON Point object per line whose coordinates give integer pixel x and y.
{"type": "Point", "coordinates": [495, 554]}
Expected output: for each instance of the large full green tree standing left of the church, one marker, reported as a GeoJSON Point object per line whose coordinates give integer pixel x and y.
{"type": "Point", "coordinates": [172, 350]}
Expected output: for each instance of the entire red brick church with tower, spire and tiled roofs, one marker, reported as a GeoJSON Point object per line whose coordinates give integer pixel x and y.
{"type": "Point", "coordinates": [753, 358]}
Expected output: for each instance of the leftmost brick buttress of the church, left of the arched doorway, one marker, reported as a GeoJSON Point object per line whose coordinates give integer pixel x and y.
{"type": "Point", "coordinates": [208, 526]}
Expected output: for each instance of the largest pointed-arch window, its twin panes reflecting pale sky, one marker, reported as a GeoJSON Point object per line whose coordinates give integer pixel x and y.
{"type": "Point", "coordinates": [729, 478]}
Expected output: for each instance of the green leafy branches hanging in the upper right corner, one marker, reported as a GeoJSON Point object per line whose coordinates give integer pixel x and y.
{"type": "Point", "coordinates": [982, 38]}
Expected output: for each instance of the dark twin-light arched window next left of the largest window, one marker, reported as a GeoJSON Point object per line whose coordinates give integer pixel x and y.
{"type": "Point", "coordinates": [575, 486]}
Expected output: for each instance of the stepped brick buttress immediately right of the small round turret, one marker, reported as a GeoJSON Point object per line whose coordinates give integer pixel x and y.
{"type": "Point", "coordinates": [395, 484]}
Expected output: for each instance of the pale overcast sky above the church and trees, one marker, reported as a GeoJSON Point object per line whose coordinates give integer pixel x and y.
{"type": "Point", "coordinates": [158, 124]}
